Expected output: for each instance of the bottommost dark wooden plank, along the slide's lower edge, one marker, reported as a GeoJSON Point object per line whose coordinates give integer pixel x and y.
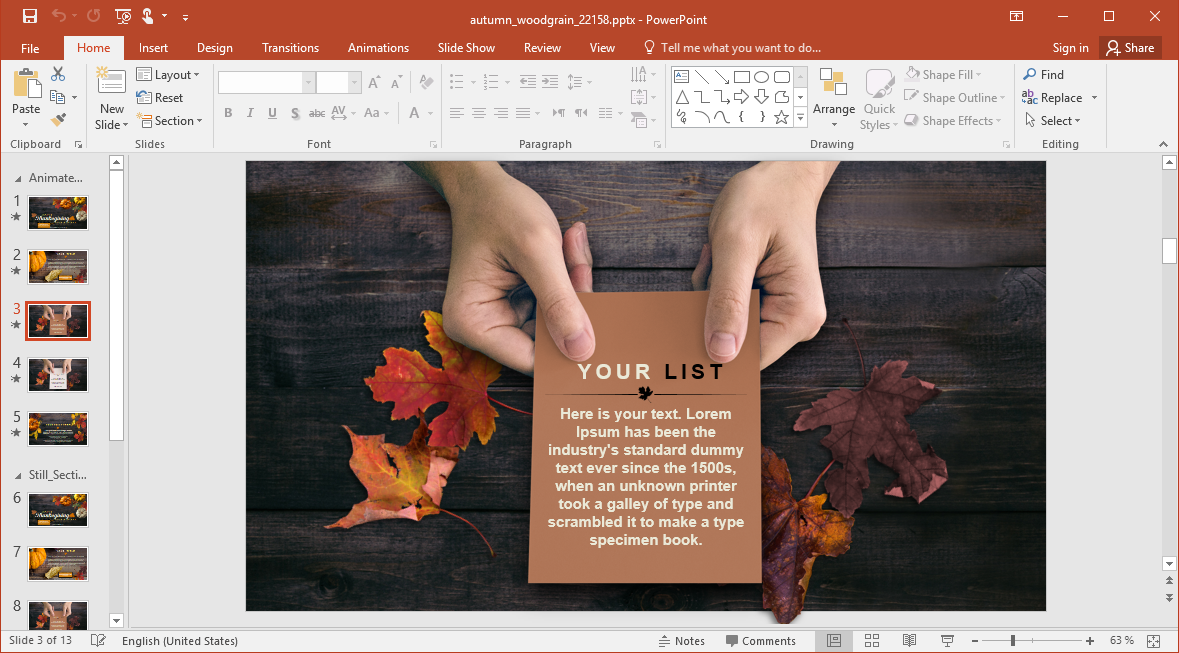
{"type": "Point", "coordinates": [898, 562]}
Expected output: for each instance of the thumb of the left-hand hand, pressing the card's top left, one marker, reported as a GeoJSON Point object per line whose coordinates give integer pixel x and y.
{"type": "Point", "coordinates": [568, 321]}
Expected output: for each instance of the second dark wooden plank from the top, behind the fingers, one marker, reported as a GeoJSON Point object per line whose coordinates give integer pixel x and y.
{"type": "Point", "coordinates": [963, 327]}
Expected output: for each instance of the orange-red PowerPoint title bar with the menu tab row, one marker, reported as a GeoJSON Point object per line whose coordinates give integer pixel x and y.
{"type": "Point", "coordinates": [660, 31]}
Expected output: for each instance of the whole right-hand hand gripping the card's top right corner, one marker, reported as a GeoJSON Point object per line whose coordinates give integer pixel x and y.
{"type": "Point", "coordinates": [762, 234]}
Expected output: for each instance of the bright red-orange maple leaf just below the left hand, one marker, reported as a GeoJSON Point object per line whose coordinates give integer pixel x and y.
{"type": "Point", "coordinates": [414, 386]}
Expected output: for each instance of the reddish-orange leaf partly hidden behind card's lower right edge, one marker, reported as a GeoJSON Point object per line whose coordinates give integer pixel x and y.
{"type": "Point", "coordinates": [794, 535]}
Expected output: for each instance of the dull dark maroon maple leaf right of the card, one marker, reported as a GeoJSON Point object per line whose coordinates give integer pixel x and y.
{"type": "Point", "coordinates": [871, 423]}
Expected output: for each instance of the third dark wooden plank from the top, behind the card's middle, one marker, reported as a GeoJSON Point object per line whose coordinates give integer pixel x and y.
{"type": "Point", "coordinates": [993, 441]}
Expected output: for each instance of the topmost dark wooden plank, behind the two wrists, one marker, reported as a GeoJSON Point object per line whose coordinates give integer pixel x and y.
{"type": "Point", "coordinates": [342, 215]}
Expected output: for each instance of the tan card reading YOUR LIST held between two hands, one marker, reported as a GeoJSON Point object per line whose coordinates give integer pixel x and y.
{"type": "Point", "coordinates": [647, 459]}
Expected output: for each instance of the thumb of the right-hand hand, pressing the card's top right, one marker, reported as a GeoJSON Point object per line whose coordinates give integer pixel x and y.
{"type": "Point", "coordinates": [727, 320]}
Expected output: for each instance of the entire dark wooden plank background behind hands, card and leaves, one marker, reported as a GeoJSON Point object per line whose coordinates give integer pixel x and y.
{"type": "Point", "coordinates": [937, 263]}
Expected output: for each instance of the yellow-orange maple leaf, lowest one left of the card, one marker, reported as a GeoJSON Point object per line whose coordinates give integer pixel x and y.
{"type": "Point", "coordinates": [404, 483]}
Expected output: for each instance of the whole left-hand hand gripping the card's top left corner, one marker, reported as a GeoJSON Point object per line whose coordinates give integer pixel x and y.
{"type": "Point", "coordinates": [508, 260]}
